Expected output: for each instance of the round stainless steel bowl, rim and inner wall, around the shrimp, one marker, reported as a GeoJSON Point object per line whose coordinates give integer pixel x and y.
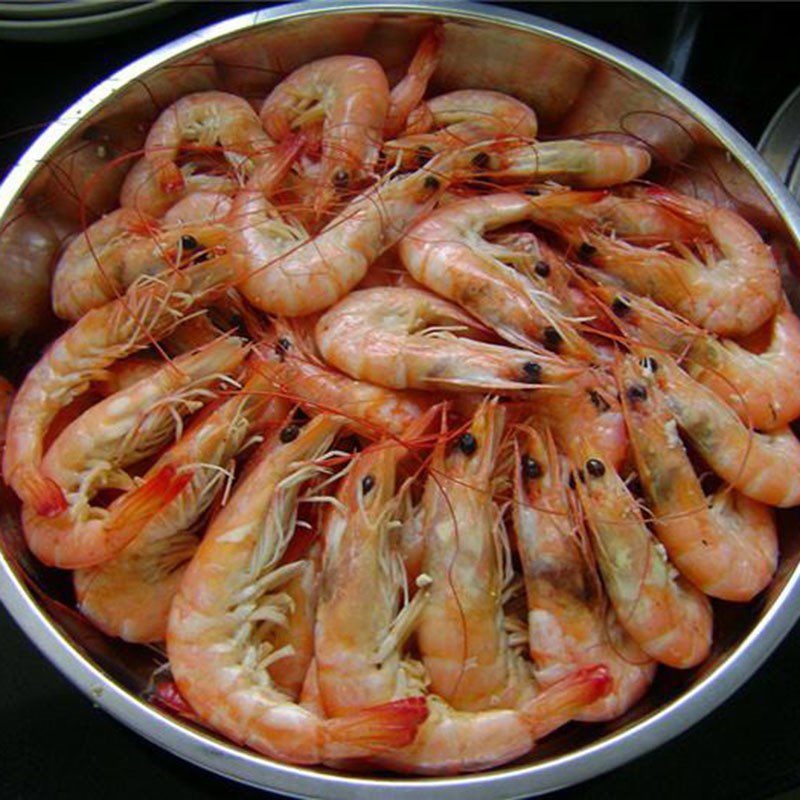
{"type": "Point", "coordinates": [551, 67]}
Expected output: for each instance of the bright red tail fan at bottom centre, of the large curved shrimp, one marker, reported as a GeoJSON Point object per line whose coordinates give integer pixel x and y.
{"type": "Point", "coordinates": [383, 727]}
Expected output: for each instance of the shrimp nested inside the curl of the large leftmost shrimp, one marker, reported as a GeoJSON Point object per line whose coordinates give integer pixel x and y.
{"type": "Point", "coordinates": [91, 453]}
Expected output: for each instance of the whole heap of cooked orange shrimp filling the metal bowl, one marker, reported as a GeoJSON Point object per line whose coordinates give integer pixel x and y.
{"type": "Point", "coordinates": [412, 436]}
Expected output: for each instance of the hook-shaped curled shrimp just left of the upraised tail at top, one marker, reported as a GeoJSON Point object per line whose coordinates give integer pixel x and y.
{"type": "Point", "coordinates": [350, 96]}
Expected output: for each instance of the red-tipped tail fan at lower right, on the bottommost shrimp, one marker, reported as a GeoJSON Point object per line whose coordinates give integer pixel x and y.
{"type": "Point", "coordinates": [564, 700]}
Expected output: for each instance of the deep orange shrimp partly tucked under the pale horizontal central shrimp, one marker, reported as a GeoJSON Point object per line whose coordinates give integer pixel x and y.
{"type": "Point", "coordinates": [300, 375]}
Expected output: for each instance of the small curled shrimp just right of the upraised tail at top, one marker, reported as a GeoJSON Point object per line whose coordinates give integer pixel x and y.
{"type": "Point", "coordinates": [461, 118]}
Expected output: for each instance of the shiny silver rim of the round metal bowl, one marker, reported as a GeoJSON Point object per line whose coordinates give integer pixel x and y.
{"type": "Point", "coordinates": [521, 780]}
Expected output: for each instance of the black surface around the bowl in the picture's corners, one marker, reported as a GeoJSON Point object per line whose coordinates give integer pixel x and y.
{"type": "Point", "coordinates": [54, 744]}
